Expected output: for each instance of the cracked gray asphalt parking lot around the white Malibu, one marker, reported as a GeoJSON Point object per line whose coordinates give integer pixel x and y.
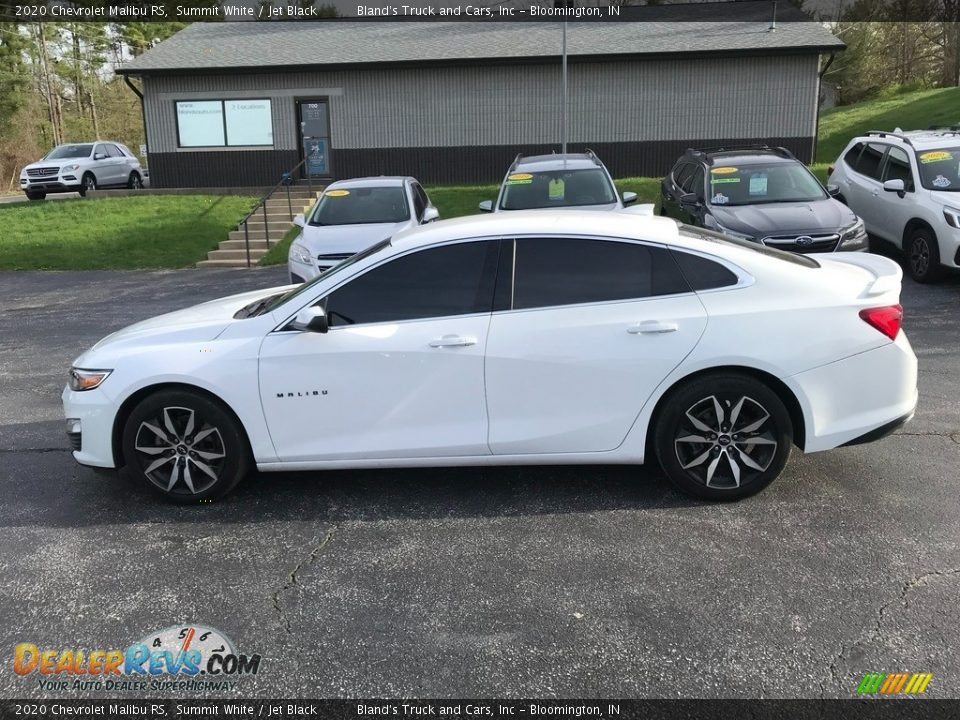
{"type": "Point", "coordinates": [516, 582]}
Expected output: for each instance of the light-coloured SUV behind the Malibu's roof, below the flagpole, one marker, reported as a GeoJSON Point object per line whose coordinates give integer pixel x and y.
{"type": "Point", "coordinates": [571, 180]}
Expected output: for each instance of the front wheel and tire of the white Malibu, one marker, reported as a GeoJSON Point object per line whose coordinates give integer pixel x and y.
{"type": "Point", "coordinates": [185, 463]}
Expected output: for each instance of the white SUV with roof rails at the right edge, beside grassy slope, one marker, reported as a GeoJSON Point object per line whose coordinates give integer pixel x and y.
{"type": "Point", "coordinates": [906, 187]}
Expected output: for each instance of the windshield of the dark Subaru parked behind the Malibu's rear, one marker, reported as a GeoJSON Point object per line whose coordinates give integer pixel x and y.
{"type": "Point", "coordinates": [755, 184]}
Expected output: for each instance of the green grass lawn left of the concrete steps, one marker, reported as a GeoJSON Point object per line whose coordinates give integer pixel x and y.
{"type": "Point", "coordinates": [122, 233]}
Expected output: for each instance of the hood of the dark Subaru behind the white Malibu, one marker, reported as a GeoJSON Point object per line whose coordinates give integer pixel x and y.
{"type": "Point", "coordinates": [785, 218]}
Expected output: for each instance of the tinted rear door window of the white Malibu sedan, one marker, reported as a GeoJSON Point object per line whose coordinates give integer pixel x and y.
{"type": "Point", "coordinates": [569, 271]}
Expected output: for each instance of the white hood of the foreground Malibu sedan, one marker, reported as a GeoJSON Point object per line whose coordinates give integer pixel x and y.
{"type": "Point", "coordinates": [199, 323]}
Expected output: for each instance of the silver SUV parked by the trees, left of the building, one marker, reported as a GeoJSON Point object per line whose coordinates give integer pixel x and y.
{"type": "Point", "coordinates": [79, 167]}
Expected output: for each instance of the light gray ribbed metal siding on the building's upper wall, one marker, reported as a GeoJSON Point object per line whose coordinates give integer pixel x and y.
{"type": "Point", "coordinates": [649, 100]}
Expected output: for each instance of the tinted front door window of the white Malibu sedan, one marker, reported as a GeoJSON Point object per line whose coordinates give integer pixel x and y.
{"type": "Point", "coordinates": [437, 282]}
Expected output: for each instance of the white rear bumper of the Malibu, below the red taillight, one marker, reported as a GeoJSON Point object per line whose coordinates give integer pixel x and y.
{"type": "Point", "coordinates": [858, 399]}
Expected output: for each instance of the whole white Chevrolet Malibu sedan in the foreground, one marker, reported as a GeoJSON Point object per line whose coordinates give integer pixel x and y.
{"type": "Point", "coordinates": [517, 338]}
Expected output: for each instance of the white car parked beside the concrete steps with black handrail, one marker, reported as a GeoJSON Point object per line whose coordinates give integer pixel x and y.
{"type": "Point", "coordinates": [353, 214]}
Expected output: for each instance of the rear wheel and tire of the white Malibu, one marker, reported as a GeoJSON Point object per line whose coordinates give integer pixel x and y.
{"type": "Point", "coordinates": [722, 467]}
